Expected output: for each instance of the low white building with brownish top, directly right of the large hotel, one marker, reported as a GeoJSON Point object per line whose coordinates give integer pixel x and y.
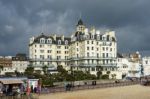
{"type": "Point", "coordinates": [129, 65]}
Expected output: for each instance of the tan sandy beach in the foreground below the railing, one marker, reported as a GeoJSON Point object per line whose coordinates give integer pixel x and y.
{"type": "Point", "coordinates": [126, 92]}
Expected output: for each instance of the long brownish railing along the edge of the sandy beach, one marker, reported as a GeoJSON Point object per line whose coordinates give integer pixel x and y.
{"type": "Point", "coordinates": [85, 87]}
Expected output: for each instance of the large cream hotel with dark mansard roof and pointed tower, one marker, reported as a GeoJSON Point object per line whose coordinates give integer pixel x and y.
{"type": "Point", "coordinates": [86, 50]}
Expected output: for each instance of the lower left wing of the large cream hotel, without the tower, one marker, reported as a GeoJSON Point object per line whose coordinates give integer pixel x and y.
{"type": "Point", "coordinates": [49, 51]}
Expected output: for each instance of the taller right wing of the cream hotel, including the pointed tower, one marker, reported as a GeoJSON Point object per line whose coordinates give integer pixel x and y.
{"type": "Point", "coordinates": [91, 50]}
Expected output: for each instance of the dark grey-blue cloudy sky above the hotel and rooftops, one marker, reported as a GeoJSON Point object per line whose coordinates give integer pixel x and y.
{"type": "Point", "coordinates": [22, 19]}
